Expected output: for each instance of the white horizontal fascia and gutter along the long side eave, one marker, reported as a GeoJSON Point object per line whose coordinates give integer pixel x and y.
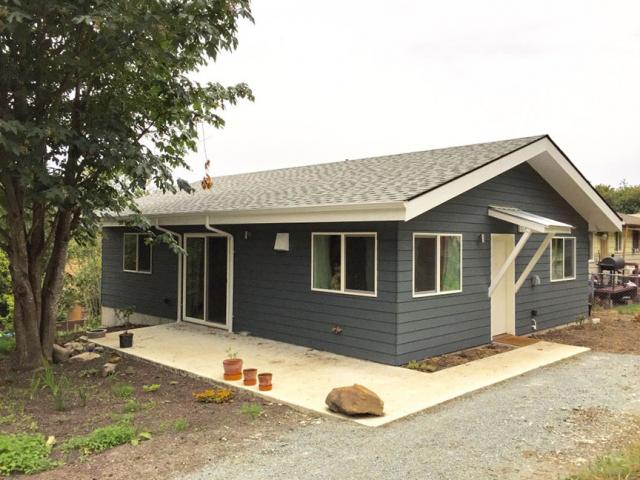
{"type": "Point", "coordinates": [392, 211]}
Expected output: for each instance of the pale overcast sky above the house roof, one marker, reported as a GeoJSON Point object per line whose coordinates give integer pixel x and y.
{"type": "Point", "coordinates": [350, 79]}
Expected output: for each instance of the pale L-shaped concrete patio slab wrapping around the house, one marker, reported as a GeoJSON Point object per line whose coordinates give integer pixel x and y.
{"type": "Point", "coordinates": [303, 377]}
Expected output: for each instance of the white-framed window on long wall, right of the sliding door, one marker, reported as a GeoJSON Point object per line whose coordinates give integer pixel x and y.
{"type": "Point", "coordinates": [344, 263]}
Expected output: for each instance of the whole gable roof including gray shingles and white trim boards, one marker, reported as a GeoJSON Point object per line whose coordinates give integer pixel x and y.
{"type": "Point", "coordinates": [391, 187]}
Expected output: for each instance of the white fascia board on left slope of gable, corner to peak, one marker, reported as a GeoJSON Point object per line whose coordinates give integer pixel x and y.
{"type": "Point", "coordinates": [443, 193]}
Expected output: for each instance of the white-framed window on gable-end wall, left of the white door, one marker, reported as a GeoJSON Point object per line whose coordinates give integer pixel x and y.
{"type": "Point", "coordinates": [437, 263]}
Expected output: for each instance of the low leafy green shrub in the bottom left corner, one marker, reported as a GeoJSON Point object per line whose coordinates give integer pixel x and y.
{"type": "Point", "coordinates": [24, 453]}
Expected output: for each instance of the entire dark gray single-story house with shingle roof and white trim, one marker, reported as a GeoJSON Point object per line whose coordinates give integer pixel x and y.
{"type": "Point", "coordinates": [389, 258]}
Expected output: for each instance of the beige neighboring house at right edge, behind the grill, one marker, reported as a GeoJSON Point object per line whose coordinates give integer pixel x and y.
{"type": "Point", "coordinates": [624, 244]}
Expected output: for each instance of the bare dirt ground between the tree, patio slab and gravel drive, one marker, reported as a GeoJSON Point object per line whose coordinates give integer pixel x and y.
{"type": "Point", "coordinates": [212, 431]}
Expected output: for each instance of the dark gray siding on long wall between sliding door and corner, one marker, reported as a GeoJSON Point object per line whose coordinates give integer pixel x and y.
{"type": "Point", "coordinates": [273, 296]}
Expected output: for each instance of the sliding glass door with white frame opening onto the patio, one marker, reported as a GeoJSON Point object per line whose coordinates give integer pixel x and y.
{"type": "Point", "coordinates": [205, 279]}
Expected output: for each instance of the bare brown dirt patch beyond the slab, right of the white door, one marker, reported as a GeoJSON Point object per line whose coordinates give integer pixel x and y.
{"type": "Point", "coordinates": [616, 333]}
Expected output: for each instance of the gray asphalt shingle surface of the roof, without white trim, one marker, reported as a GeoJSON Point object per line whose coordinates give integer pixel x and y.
{"type": "Point", "coordinates": [383, 179]}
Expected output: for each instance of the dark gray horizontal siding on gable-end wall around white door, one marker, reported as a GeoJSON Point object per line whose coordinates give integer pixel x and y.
{"type": "Point", "coordinates": [434, 325]}
